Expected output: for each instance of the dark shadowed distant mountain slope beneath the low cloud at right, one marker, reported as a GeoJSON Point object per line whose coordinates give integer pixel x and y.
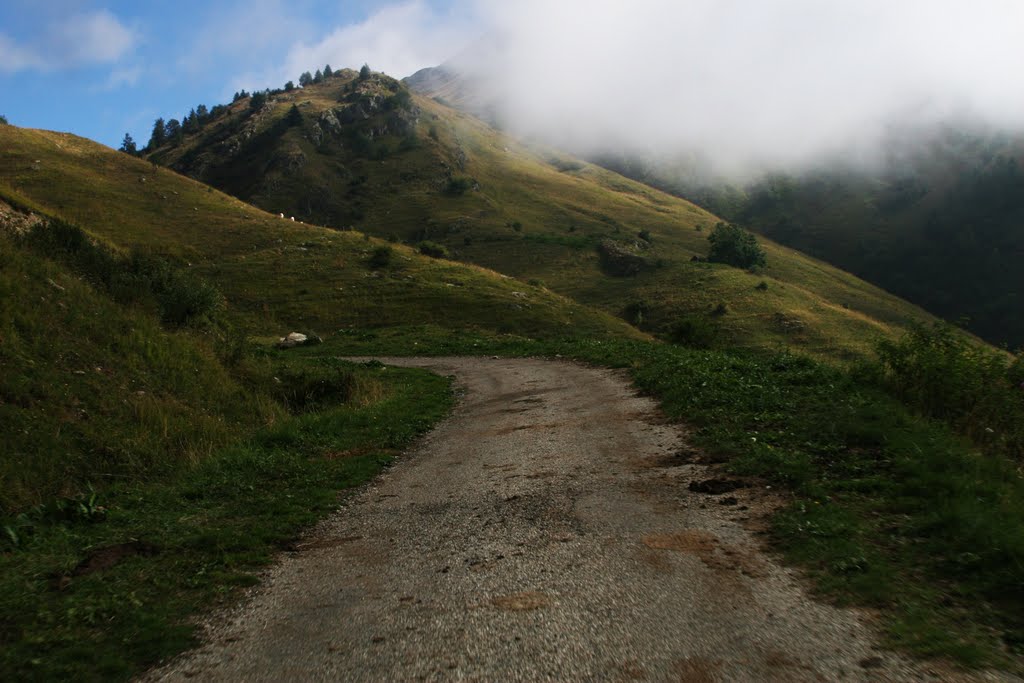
{"type": "Point", "coordinates": [942, 225]}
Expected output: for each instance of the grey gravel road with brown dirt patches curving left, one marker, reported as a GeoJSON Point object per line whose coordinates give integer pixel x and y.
{"type": "Point", "coordinates": [545, 532]}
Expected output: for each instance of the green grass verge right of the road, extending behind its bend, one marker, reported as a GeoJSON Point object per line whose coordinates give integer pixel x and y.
{"type": "Point", "coordinates": [887, 509]}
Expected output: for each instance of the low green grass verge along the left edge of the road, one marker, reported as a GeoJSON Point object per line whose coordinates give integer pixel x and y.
{"type": "Point", "coordinates": [202, 535]}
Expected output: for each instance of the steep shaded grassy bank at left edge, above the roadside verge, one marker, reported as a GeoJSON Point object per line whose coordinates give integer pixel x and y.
{"type": "Point", "coordinates": [93, 393]}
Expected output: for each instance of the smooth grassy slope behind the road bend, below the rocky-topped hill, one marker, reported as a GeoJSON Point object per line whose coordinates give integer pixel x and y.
{"type": "Point", "coordinates": [277, 276]}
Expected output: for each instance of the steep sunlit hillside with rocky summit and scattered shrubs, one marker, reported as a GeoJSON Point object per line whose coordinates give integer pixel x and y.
{"type": "Point", "coordinates": [361, 152]}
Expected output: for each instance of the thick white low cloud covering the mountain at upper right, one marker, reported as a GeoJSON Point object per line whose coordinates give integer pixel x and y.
{"type": "Point", "coordinates": [748, 83]}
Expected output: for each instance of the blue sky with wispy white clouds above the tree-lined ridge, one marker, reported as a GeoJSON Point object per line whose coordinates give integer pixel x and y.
{"type": "Point", "coordinates": [103, 69]}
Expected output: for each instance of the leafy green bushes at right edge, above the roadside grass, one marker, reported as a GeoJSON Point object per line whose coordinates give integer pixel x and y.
{"type": "Point", "coordinates": [944, 374]}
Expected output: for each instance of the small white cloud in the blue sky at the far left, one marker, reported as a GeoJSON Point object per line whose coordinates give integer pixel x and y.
{"type": "Point", "coordinates": [78, 40]}
